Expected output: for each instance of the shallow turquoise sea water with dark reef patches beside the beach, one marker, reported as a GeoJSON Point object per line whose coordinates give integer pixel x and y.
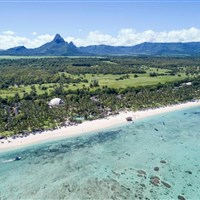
{"type": "Point", "coordinates": [114, 164]}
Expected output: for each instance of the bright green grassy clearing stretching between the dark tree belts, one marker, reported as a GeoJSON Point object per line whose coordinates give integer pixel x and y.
{"type": "Point", "coordinates": [109, 80]}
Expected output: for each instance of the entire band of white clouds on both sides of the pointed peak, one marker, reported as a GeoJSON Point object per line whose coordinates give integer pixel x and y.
{"type": "Point", "coordinates": [124, 37]}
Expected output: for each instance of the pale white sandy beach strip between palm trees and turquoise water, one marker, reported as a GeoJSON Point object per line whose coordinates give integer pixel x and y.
{"type": "Point", "coordinates": [89, 126]}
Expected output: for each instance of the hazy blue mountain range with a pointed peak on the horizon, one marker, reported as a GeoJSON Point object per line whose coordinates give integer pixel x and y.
{"type": "Point", "coordinates": [58, 47]}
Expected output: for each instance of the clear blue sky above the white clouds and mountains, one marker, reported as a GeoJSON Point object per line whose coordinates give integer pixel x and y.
{"type": "Point", "coordinates": [77, 19]}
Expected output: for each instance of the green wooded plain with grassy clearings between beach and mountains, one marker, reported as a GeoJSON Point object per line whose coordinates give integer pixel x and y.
{"type": "Point", "coordinates": [91, 87]}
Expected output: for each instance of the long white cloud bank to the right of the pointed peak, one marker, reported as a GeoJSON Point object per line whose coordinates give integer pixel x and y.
{"type": "Point", "coordinates": [129, 37]}
